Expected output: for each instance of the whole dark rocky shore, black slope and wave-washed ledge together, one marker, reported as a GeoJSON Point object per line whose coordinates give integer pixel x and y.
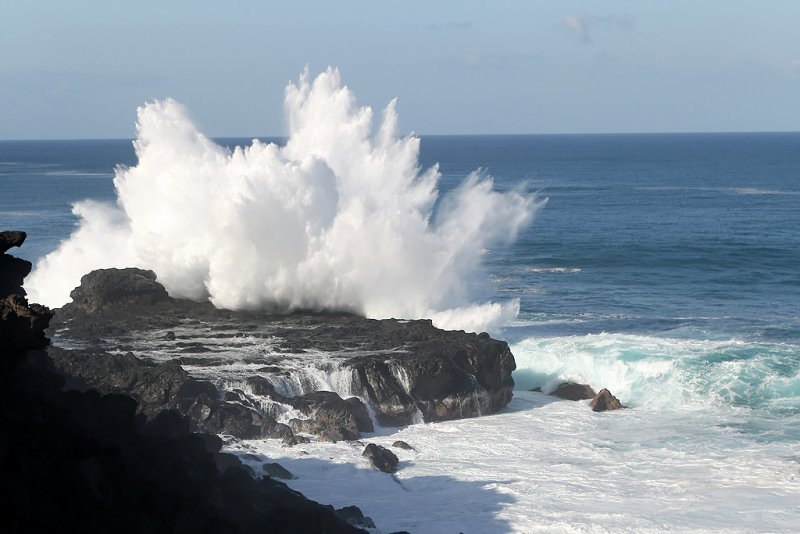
{"type": "Point", "coordinates": [137, 387]}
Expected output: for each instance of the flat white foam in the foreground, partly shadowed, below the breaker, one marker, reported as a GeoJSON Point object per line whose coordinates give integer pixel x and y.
{"type": "Point", "coordinates": [545, 465]}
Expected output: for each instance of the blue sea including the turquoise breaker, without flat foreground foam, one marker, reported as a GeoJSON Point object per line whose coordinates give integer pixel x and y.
{"type": "Point", "coordinates": [658, 260]}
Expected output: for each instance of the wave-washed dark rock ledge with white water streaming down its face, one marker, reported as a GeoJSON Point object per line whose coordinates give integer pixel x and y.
{"type": "Point", "coordinates": [406, 371]}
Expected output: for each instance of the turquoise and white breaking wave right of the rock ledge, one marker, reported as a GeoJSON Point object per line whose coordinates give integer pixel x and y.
{"type": "Point", "coordinates": [663, 372]}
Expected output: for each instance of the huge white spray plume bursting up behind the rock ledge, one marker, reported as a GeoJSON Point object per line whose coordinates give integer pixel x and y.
{"type": "Point", "coordinates": [338, 218]}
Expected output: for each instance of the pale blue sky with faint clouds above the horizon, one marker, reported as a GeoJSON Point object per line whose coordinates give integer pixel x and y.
{"type": "Point", "coordinates": [80, 69]}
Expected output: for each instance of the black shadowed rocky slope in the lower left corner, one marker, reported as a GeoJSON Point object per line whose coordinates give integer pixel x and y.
{"type": "Point", "coordinates": [86, 462]}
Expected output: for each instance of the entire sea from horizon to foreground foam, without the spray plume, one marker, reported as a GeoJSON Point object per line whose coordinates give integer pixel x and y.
{"type": "Point", "coordinates": [664, 267]}
